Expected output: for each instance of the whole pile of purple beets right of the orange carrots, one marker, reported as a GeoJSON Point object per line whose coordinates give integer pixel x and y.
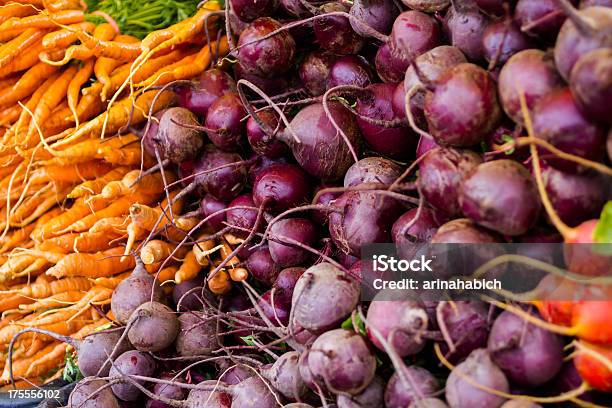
{"type": "Point", "coordinates": [334, 125]}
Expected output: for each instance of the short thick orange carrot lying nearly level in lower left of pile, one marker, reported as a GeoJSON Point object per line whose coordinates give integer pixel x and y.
{"type": "Point", "coordinates": [99, 264]}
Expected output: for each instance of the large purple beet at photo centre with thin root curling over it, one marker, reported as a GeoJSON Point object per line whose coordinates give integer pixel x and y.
{"type": "Point", "coordinates": [322, 152]}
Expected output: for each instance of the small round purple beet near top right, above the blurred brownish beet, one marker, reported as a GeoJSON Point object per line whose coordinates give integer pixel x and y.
{"type": "Point", "coordinates": [501, 40]}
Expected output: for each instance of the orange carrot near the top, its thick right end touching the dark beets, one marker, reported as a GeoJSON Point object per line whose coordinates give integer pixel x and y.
{"type": "Point", "coordinates": [188, 68]}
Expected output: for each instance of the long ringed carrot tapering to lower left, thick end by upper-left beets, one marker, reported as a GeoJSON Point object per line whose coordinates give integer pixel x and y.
{"type": "Point", "coordinates": [117, 116]}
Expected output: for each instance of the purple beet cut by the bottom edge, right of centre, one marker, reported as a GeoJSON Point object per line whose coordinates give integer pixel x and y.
{"type": "Point", "coordinates": [399, 394]}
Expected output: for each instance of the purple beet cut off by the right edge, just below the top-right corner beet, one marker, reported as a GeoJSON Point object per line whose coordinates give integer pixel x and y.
{"type": "Point", "coordinates": [591, 85]}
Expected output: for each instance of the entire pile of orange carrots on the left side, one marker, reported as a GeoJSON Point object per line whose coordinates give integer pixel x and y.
{"type": "Point", "coordinates": [71, 94]}
